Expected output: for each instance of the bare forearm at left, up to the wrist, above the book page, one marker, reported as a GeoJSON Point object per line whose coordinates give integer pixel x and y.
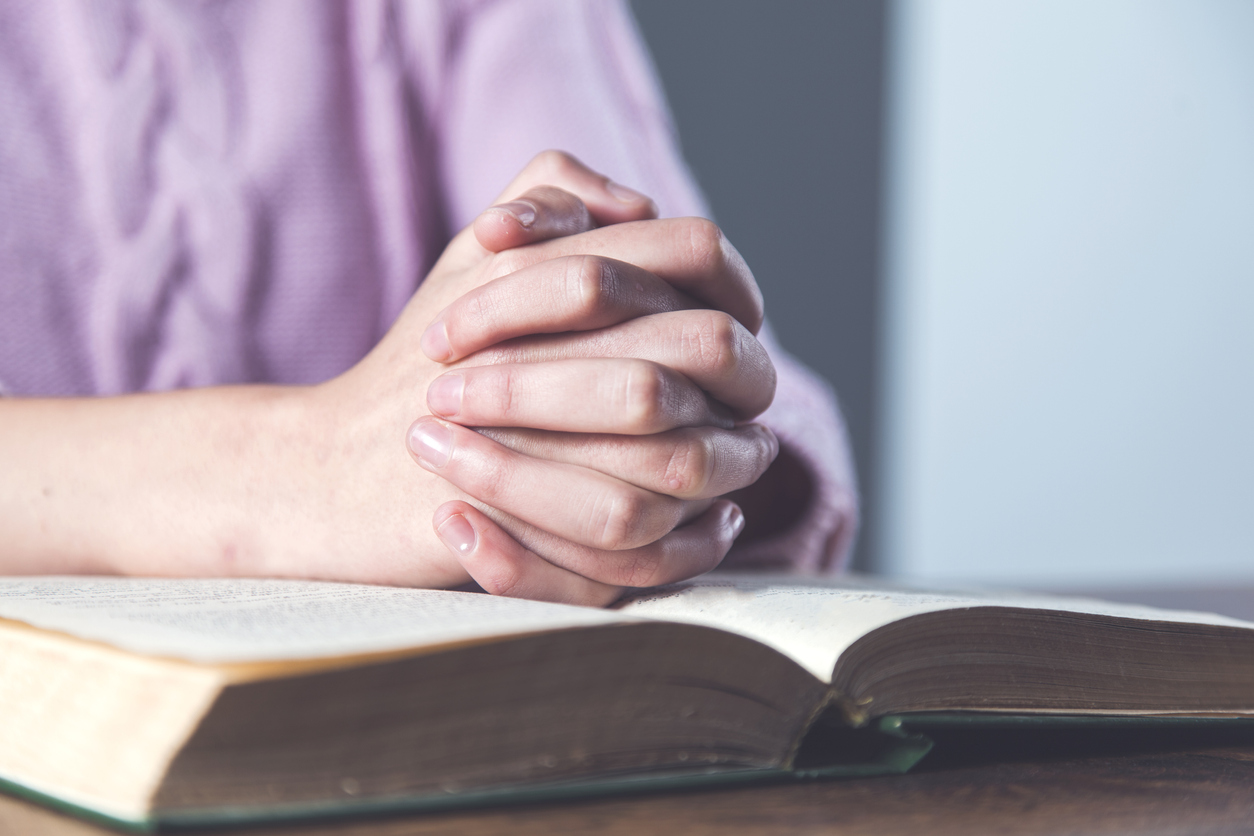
{"type": "Point", "coordinates": [174, 483]}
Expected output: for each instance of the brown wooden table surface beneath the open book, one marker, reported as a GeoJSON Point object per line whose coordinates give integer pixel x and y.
{"type": "Point", "coordinates": [1182, 781]}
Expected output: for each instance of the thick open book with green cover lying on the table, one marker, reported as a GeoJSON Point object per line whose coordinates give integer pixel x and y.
{"type": "Point", "coordinates": [187, 703]}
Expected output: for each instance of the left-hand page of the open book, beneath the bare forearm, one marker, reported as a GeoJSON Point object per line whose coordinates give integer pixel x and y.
{"type": "Point", "coordinates": [261, 621]}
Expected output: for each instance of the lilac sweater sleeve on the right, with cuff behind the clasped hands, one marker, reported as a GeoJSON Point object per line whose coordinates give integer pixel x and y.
{"type": "Point", "coordinates": [517, 77]}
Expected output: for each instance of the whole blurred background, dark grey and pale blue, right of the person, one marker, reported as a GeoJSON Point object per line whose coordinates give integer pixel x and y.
{"type": "Point", "coordinates": [1019, 240]}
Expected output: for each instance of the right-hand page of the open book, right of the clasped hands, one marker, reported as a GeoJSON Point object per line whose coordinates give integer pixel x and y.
{"type": "Point", "coordinates": [813, 620]}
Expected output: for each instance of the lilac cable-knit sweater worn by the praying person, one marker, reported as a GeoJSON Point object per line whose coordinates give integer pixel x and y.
{"type": "Point", "coordinates": [230, 192]}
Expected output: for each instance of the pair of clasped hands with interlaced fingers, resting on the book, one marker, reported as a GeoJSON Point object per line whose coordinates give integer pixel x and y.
{"type": "Point", "coordinates": [584, 378]}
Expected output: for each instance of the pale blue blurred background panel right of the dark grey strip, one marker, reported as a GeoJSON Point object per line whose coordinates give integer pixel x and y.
{"type": "Point", "coordinates": [1069, 330]}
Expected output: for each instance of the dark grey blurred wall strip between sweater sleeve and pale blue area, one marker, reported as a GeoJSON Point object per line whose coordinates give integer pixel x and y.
{"type": "Point", "coordinates": [779, 108]}
